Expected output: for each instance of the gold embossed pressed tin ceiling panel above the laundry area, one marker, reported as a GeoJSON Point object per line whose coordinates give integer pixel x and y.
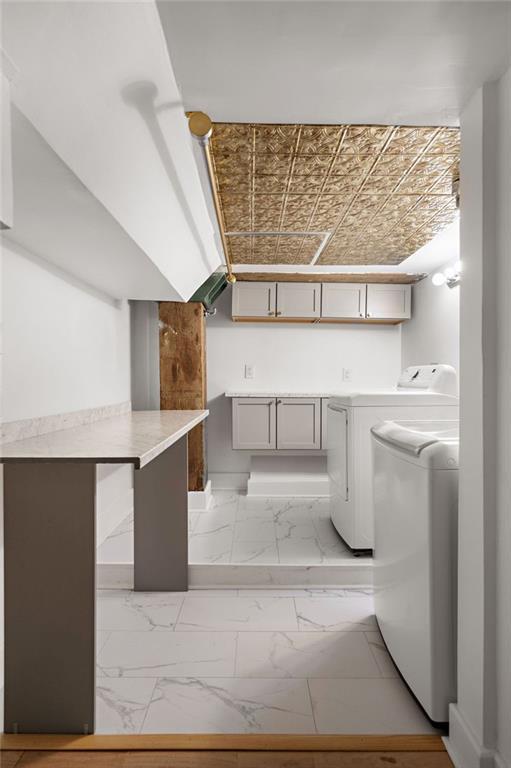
{"type": "Point", "coordinates": [333, 194]}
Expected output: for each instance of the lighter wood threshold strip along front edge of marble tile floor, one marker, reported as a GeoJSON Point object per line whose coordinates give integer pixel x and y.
{"type": "Point", "coordinates": [224, 742]}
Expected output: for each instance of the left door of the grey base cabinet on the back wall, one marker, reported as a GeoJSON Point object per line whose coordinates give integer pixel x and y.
{"type": "Point", "coordinates": [253, 423]}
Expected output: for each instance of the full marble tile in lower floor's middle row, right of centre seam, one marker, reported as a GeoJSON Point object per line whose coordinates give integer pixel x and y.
{"type": "Point", "coordinates": [305, 655]}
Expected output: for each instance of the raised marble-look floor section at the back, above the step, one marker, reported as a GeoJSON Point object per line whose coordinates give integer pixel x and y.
{"type": "Point", "coordinates": [238, 529]}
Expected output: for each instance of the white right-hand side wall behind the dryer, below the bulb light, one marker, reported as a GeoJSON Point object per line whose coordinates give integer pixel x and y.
{"type": "Point", "coordinates": [432, 335]}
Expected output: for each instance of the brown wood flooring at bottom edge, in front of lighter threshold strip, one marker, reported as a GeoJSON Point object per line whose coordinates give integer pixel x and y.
{"type": "Point", "coordinates": [220, 759]}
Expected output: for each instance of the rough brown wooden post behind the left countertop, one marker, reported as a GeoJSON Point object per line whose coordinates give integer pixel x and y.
{"type": "Point", "coordinates": [183, 375]}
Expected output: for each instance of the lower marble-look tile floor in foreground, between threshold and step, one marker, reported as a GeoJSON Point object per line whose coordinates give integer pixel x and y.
{"type": "Point", "coordinates": [247, 661]}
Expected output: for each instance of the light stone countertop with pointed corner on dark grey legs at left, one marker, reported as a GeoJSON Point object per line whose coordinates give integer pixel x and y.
{"type": "Point", "coordinates": [135, 438]}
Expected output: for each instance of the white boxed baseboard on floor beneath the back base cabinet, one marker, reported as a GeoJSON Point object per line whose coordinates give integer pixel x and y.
{"type": "Point", "coordinates": [302, 484]}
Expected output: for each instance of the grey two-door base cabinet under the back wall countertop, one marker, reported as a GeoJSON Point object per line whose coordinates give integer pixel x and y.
{"type": "Point", "coordinates": [282, 423]}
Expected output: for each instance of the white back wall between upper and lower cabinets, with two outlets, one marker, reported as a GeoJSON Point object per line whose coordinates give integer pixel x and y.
{"type": "Point", "coordinates": [289, 356]}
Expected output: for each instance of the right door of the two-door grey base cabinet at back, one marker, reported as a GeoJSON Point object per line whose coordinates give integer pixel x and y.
{"type": "Point", "coordinates": [298, 423]}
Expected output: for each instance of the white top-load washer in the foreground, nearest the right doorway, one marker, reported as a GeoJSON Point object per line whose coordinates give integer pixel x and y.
{"type": "Point", "coordinates": [415, 555]}
